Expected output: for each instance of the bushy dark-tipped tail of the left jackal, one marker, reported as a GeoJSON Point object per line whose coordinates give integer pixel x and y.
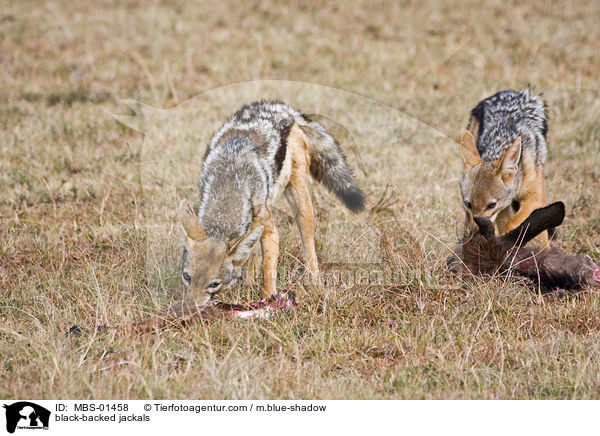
{"type": "Point", "coordinates": [328, 165]}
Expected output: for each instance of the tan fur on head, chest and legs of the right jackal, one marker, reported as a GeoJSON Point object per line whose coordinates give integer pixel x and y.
{"type": "Point", "coordinates": [488, 183]}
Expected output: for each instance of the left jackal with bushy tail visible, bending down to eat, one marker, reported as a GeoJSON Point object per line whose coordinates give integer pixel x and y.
{"type": "Point", "coordinates": [264, 150]}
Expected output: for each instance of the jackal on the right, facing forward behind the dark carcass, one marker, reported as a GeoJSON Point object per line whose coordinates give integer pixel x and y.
{"type": "Point", "coordinates": [503, 151]}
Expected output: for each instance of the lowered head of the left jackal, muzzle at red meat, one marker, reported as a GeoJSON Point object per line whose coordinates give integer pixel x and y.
{"type": "Point", "coordinates": [211, 265]}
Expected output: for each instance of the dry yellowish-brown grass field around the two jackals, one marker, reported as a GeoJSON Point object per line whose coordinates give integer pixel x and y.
{"type": "Point", "coordinates": [74, 201]}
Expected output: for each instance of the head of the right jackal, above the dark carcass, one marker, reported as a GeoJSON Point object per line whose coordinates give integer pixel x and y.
{"type": "Point", "coordinates": [488, 187]}
